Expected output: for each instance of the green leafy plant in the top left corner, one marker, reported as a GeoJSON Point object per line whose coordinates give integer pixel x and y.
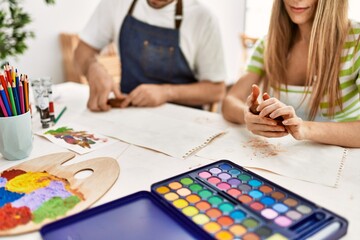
{"type": "Point", "coordinates": [13, 32]}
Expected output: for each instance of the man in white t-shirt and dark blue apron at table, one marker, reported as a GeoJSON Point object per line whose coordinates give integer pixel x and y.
{"type": "Point", "coordinates": [170, 51]}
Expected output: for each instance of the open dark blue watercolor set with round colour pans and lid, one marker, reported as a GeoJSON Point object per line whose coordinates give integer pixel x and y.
{"type": "Point", "coordinates": [218, 201]}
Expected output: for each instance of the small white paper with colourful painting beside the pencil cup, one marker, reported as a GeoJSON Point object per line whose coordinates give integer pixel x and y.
{"type": "Point", "coordinates": [76, 138]}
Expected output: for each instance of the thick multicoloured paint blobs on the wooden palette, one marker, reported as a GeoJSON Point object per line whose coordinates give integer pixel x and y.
{"type": "Point", "coordinates": [33, 197]}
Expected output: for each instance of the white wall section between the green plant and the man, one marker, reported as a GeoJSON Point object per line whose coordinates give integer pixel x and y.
{"type": "Point", "coordinates": [43, 58]}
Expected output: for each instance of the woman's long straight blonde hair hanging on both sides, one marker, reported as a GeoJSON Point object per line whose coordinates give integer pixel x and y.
{"type": "Point", "coordinates": [329, 31]}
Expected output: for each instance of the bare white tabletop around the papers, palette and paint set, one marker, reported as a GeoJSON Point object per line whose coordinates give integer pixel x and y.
{"type": "Point", "coordinates": [140, 167]}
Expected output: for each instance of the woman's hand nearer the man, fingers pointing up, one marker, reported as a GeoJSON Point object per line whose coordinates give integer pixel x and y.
{"type": "Point", "coordinates": [261, 124]}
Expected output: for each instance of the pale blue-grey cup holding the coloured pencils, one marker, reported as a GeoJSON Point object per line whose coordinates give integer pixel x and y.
{"type": "Point", "coordinates": [16, 137]}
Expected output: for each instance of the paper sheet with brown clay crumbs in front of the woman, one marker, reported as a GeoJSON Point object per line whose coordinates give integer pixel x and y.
{"type": "Point", "coordinates": [286, 156]}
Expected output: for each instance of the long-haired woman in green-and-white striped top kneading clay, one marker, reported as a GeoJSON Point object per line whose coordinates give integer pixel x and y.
{"type": "Point", "coordinates": [310, 63]}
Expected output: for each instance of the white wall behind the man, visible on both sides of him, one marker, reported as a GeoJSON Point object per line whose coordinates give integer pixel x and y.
{"type": "Point", "coordinates": [43, 58]}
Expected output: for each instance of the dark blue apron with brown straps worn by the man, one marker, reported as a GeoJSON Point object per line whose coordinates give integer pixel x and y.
{"type": "Point", "coordinates": [151, 54]}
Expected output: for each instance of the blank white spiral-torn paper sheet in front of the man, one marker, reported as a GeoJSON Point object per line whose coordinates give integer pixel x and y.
{"type": "Point", "coordinates": [151, 130]}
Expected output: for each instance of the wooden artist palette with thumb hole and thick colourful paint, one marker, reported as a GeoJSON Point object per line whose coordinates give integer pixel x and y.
{"type": "Point", "coordinates": [41, 190]}
